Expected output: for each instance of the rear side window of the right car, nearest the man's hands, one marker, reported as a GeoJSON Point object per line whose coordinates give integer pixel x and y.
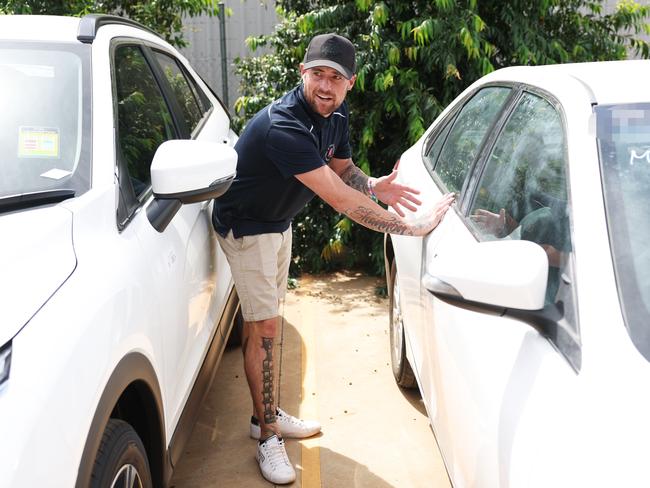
{"type": "Point", "coordinates": [463, 142]}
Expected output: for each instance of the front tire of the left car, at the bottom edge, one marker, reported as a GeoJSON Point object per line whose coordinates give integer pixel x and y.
{"type": "Point", "coordinates": [121, 460]}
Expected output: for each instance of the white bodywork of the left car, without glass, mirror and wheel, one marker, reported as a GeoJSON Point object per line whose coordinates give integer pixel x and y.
{"type": "Point", "coordinates": [113, 293]}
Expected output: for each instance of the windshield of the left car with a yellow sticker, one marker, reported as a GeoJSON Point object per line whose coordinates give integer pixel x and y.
{"type": "Point", "coordinates": [45, 122]}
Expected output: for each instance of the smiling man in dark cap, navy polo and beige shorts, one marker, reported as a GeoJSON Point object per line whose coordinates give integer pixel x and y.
{"type": "Point", "coordinates": [296, 147]}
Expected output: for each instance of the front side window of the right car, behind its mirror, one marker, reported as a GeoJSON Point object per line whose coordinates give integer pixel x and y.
{"type": "Point", "coordinates": [522, 193]}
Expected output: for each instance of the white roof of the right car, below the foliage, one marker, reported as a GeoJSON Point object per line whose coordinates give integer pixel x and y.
{"type": "Point", "coordinates": [608, 82]}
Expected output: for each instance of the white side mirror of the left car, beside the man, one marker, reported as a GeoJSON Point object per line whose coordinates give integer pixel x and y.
{"type": "Point", "coordinates": [188, 171]}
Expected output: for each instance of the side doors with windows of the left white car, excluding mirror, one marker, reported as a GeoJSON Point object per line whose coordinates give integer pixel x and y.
{"type": "Point", "coordinates": [158, 99]}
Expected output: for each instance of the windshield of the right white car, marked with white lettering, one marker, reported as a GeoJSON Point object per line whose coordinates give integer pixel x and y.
{"type": "Point", "coordinates": [624, 145]}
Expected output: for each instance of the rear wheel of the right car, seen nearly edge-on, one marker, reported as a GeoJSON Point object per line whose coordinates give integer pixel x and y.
{"type": "Point", "coordinates": [401, 367]}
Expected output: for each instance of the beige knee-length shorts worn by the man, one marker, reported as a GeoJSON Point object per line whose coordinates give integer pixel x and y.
{"type": "Point", "coordinates": [260, 268]}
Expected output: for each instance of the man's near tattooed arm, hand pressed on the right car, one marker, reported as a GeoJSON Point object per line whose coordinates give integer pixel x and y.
{"type": "Point", "coordinates": [345, 199]}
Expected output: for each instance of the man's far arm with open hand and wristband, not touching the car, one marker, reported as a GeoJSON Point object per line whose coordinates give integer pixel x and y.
{"type": "Point", "coordinates": [385, 188]}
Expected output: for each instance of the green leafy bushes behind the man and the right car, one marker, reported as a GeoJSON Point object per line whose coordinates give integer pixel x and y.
{"type": "Point", "coordinates": [414, 57]}
